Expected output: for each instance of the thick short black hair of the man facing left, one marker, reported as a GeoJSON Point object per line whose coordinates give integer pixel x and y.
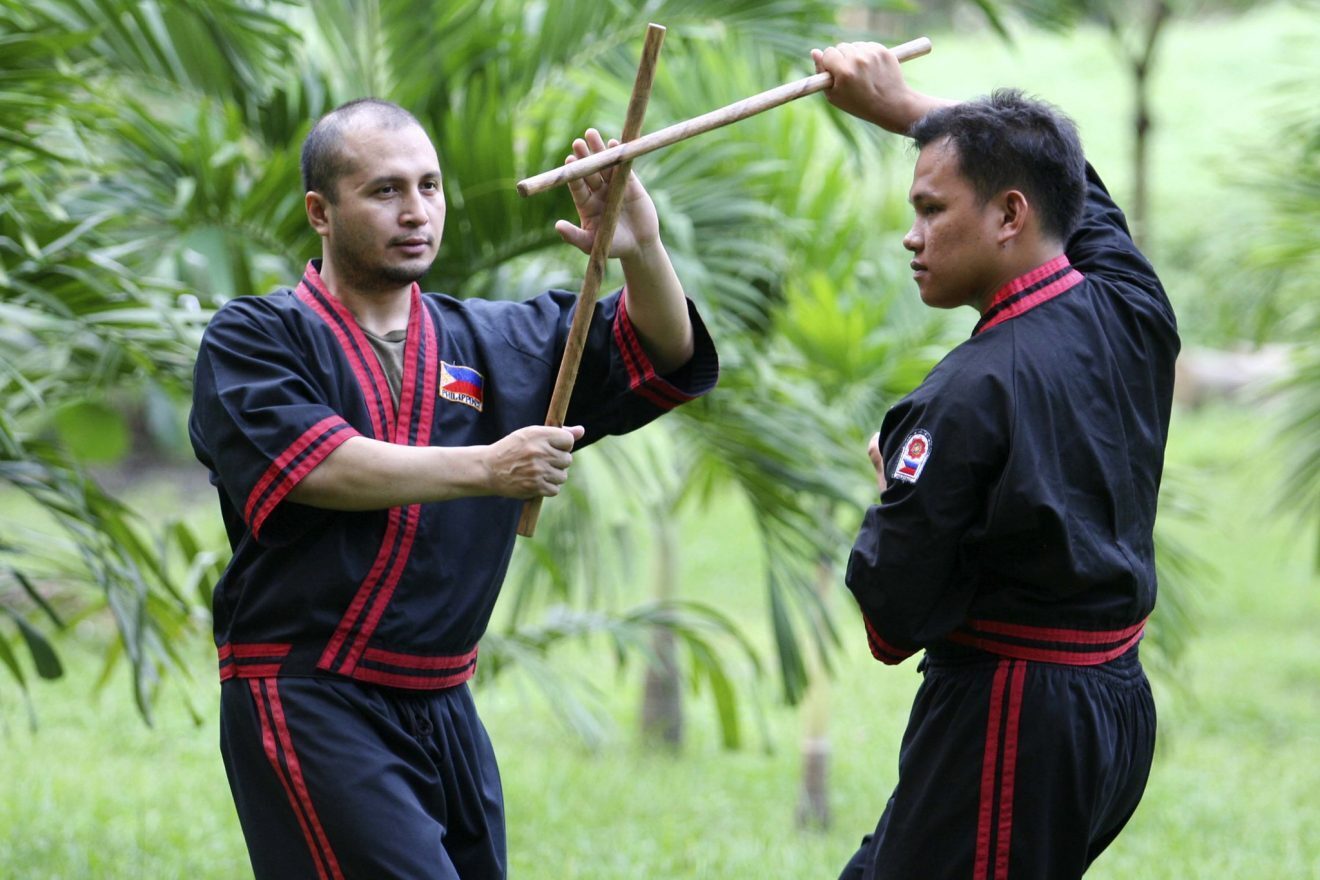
{"type": "Point", "coordinates": [1006, 141]}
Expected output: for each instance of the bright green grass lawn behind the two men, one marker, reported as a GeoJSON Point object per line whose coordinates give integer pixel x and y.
{"type": "Point", "coordinates": [92, 794]}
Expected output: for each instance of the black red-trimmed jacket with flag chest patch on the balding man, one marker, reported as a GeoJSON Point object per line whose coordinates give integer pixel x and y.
{"type": "Point", "coordinates": [397, 597]}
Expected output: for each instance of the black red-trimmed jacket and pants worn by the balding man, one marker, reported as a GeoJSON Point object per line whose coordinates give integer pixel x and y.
{"type": "Point", "coordinates": [346, 638]}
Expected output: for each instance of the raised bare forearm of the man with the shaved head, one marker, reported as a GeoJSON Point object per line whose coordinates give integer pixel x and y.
{"type": "Point", "coordinates": [658, 307]}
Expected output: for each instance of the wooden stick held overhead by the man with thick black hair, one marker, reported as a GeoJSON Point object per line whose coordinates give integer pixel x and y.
{"type": "Point", "coordinates": [699, 125]}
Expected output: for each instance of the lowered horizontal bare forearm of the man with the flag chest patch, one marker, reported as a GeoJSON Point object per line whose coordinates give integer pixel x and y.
{"type": "Point", "coordinates": [368, 474]}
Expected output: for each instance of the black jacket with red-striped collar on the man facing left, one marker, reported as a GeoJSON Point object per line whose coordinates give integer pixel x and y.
{"type": "Point", "coordinates": [1024, 473]}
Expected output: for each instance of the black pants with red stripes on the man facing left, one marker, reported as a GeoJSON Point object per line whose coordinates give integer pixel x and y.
{"type": "Point", "coordinates": [1013, 771]}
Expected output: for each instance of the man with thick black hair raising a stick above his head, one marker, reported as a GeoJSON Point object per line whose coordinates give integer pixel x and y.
{"type": "Point", "coordinates": [1013, 542]}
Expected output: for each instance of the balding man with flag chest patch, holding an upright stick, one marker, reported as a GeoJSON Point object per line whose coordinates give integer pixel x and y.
{"type": "Point", "coordinates": [373, 448]}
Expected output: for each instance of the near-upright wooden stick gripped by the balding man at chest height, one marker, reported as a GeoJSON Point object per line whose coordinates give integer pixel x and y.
{"type": "Point", "coordinates": [600, 255]}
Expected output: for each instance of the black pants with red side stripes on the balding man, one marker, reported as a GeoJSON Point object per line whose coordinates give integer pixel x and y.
{"type": "Point", "coordinates": [335, 780]}
